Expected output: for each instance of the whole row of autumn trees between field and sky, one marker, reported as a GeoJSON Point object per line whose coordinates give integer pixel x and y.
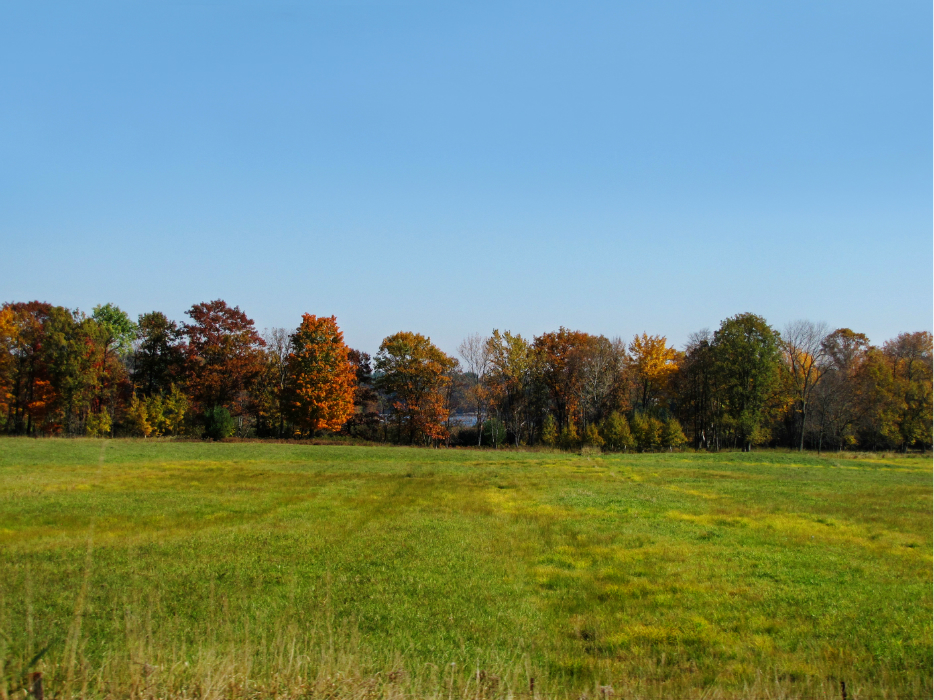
{"type": "Point", "coordinates": [64, 372]}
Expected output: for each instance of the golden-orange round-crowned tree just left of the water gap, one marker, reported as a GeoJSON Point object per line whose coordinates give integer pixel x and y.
{"type": "Point", "coordinates": [415, 374]}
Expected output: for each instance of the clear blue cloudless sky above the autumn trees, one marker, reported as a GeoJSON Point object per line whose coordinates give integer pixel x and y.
{"type": "Point", "coordinates": [447, 168]}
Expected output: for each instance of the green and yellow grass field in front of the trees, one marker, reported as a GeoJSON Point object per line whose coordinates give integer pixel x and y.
{"type": "Point", "coordinates": [181, 569]}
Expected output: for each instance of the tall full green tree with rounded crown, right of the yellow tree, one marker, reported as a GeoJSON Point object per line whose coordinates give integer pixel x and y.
{"type": "Point", "coordinates": [747, 357]}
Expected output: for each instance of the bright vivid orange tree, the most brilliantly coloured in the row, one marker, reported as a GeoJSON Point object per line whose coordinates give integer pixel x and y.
{"type": "Point", "coordinates": [321, 377]}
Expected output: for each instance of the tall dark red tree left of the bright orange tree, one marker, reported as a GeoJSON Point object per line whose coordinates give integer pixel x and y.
{"type": "Point", "coordinates": [224, 355]}
